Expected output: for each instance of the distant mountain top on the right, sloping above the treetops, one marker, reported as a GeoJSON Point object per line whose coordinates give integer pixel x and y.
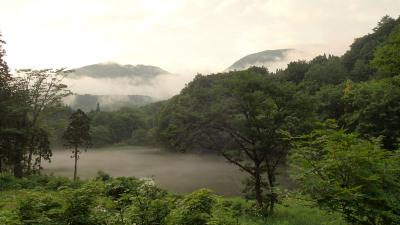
{"type": "Point", "coordinates": [265, 58]}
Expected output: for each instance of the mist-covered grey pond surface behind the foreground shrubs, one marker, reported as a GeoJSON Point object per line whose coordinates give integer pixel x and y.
{"type": "Point", "coordinates": [177, 172]}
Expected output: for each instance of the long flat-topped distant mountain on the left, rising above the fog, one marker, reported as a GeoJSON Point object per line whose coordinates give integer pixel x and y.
{"type": "Point", "coordinates": [115, 70]}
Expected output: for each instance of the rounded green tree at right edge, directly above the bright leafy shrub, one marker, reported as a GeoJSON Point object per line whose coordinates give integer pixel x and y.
{"type": "Point", "coordinates": [373, 109]}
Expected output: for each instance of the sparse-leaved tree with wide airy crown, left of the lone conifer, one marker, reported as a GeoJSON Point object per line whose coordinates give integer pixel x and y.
{"type": "Point", "coordinates": [35, 92]}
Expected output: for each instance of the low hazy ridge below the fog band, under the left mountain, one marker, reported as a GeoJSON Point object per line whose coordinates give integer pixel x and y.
{"type": "Point", "coordinates": [106, 102]}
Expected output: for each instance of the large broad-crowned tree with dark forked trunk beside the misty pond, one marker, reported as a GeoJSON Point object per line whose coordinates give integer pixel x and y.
{"type": "Point", "coordinates": [245, 117]}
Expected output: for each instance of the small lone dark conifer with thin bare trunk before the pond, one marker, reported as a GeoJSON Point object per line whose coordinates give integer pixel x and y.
{"type": "Point", "coordinates": [77, 135]}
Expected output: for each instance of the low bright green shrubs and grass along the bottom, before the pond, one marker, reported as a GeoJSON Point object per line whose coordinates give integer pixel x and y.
{"type": "Point", "coordinates": [47, 200]}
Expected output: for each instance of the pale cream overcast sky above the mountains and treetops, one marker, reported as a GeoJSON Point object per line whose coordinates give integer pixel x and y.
{"type": "Point", "coordinates": [181, 36]}
